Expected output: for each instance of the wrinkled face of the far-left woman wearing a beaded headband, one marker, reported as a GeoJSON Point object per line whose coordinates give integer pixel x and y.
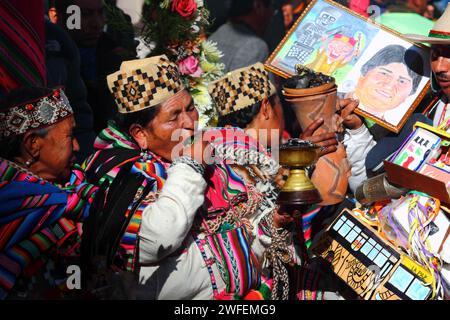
{"type": "Point", "coordinates": [56, 155]}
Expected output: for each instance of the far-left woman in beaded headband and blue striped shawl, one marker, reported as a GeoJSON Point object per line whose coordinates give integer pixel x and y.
{"type": "Point", "coordinates": [42, 194]}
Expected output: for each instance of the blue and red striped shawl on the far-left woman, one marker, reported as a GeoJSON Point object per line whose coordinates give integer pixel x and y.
{"type": "Point", "coordinates": [35, 215]}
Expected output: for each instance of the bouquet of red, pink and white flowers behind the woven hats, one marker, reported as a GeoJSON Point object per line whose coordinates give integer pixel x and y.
{"type": "Point", "coordinates": [176, 28]}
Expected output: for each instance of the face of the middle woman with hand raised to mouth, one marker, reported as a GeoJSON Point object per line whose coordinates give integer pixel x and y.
{"type": "Point", "coordinates": [175, 121]}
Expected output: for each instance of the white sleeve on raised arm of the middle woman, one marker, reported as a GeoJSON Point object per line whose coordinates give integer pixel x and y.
{"type": "Point", "coordinates": [167, 221]}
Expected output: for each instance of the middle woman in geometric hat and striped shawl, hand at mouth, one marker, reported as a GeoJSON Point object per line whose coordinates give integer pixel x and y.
{"type": "Point", "coordinates": [195, 235]}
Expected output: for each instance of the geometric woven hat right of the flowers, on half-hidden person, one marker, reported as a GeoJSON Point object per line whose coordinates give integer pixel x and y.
{"type": "Point", "coordinates": [241, 89]}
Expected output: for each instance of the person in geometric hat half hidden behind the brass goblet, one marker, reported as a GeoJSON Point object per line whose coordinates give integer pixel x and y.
{"type": "Point", "coordinates": [259, 114]}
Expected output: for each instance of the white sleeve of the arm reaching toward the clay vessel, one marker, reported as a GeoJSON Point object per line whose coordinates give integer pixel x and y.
{"type": "Point", "coordinates": [358, 143]}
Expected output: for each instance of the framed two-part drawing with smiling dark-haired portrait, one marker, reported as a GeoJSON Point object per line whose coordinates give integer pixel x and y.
{"type": "Point", "coordinates": [388, 74]}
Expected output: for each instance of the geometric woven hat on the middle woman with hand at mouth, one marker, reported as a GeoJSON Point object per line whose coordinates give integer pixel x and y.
{"type": "Point", "coordinates": [144, 83]}
